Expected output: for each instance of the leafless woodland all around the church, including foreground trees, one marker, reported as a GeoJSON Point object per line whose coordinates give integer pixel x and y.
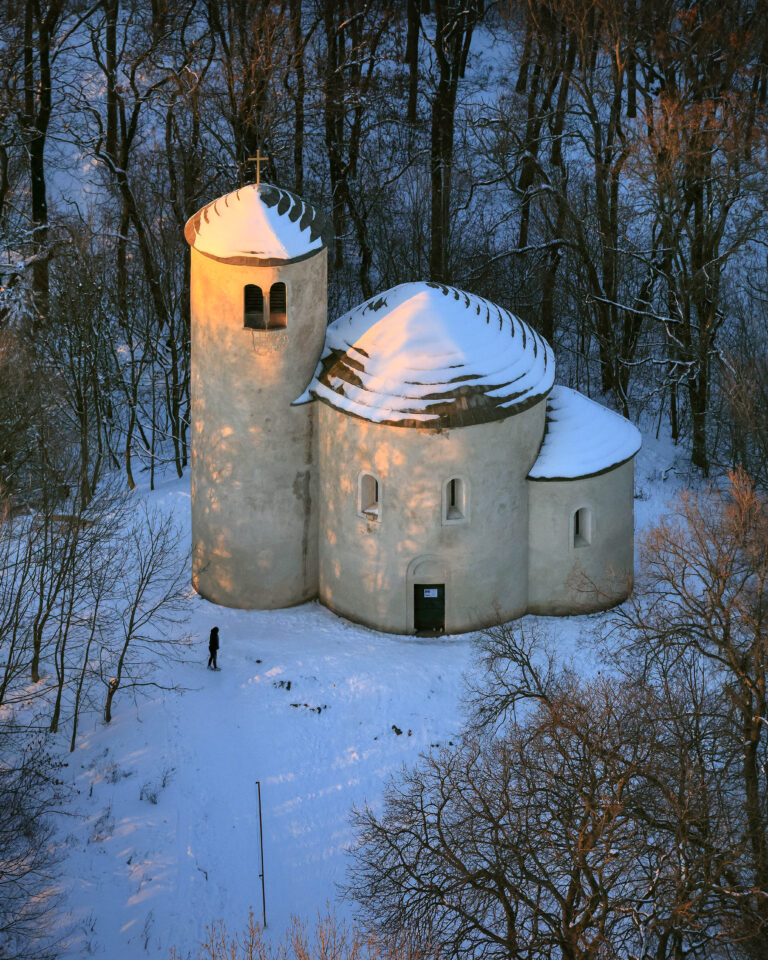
{"type": "Point", "coordinates": [598, 166]}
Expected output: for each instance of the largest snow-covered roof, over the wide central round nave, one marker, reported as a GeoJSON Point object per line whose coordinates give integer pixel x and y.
{"type": "Point", "coordinates": [427, 355]}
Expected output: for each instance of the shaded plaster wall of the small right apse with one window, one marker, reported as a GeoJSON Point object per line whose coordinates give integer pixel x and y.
{"type": "Point", "coordinates": [564, 578]}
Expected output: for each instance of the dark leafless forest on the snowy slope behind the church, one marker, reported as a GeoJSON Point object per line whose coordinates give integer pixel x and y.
{"type": "Point", "coordinates": [596, 165]}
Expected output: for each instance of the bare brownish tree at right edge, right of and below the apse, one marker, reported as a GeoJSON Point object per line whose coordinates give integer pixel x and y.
{"type": "Point", "coordinates": [700, 606]}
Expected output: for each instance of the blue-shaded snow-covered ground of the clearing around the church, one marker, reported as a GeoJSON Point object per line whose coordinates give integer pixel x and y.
{"type": "Point", "coordinates": [164, 833]}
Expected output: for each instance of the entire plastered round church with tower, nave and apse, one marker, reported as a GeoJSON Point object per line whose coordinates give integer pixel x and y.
{"type": "Point", "coordinates": [413, 465]}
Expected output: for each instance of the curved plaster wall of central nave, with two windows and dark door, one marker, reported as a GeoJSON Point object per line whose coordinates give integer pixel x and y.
{"type": "Point", "coordinates": [368, 566]}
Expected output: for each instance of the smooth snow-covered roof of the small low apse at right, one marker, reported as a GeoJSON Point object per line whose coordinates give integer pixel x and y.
{"type": "Point", "coordinates": [582, 438]}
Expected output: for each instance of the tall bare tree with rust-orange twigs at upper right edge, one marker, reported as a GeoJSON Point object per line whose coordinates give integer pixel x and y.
{"type": "Point", "coordinates": [704, 128]}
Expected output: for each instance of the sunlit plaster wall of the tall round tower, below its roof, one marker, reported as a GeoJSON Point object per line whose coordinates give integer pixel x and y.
{"type": "Point", "coordinates": [254, 496]}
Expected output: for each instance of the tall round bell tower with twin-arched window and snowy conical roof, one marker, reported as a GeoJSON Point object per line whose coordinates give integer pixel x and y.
{"type": "Point", "coordinates": [258, 297]}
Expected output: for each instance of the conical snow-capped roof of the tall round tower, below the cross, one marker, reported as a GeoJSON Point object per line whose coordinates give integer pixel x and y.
{"type": "Point", "coordinates": [257, 223]}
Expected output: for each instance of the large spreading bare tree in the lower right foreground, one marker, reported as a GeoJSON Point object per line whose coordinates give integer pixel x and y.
{"type": "Point", "coordinates": [521, 845]}
